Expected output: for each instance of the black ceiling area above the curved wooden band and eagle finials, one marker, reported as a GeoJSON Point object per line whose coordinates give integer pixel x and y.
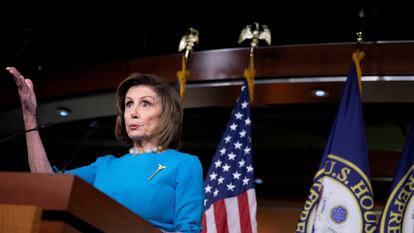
{"type": "Point", "coordinates": [39, 37]}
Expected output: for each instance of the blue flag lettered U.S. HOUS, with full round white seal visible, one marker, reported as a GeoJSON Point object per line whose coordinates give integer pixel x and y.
{"type": "Point", "coordinates": [340, 199]}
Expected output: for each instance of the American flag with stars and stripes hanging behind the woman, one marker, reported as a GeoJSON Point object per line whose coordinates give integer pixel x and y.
{"type": "Point", "coordinates": [230, 198]}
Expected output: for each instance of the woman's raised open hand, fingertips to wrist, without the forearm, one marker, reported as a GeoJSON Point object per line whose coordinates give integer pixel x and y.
{"type": "Point", "coordinates": [26, 93]}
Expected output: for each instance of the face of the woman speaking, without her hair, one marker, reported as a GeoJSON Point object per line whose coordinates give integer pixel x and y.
{"type": "Point", "coordinates": [143, 109]}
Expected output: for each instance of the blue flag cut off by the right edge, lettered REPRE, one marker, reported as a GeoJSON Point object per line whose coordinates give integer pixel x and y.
{"type": "Point", "coordinates": [398, 213]}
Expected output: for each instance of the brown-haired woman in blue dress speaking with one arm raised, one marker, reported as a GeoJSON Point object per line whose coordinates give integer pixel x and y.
{"type": "Point", "coordinates": [153, 180]}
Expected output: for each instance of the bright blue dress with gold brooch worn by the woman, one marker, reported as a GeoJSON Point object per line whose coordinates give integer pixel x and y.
{"type": "Point", "coordinates": [172, 200]}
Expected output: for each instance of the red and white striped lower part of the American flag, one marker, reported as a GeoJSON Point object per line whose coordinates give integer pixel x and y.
{"type": "Point", "coordinates": [232, 215]}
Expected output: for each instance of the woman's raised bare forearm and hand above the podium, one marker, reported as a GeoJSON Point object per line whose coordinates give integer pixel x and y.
{"type": "Point", "coordinates": [38, 160]}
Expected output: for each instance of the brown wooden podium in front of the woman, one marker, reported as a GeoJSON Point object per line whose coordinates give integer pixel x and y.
{"type": "Point", "coordinates": [63, 203]}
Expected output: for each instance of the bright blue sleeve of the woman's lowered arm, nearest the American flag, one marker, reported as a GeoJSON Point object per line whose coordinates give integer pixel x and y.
{"type": "Point", "coordinates": [189, 196]}
